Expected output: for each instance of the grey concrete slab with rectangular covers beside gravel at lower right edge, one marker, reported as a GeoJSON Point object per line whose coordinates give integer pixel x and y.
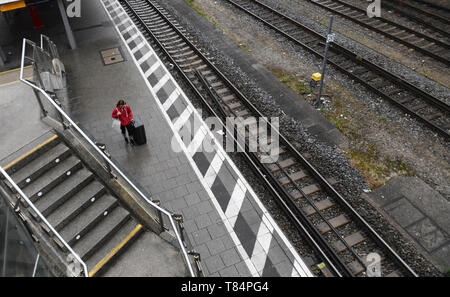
{"type": "Point", "coordinates": [421, 212]}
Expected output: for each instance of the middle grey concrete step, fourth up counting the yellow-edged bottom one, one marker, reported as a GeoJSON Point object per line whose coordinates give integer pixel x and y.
{"type": "Point", "coordinates": [76, 204]}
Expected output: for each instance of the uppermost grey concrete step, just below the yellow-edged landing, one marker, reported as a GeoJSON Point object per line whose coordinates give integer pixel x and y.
{"type": "Point", "coordinates": [31, 171]}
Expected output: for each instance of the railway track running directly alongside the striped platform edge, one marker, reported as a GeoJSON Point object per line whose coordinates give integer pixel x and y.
{"type": "Point", "coordinates": [339, 235]}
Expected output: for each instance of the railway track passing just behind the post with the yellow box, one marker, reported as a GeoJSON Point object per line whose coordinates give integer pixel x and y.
{"type": "Point", "coordinates": [429, 110]}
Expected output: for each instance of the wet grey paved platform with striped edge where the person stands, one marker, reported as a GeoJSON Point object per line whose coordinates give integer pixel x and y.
{"type": "Point", "coordinates": [223, 217]}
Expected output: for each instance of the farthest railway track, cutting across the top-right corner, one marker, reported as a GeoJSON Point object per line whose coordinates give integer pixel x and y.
{"type": "Point", "coordinates": [427, 16]}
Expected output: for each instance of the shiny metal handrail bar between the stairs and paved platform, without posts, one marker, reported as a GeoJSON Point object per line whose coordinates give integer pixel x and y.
{"type": "Point", "coordinates": [96, 148]}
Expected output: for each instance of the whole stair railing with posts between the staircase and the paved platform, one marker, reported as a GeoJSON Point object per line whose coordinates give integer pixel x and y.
{"type": "Point", "coordinates": [68, 123]}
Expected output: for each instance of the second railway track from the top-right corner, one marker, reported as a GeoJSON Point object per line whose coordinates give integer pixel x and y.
{"type": "Point", "coordinates": [426, 44]}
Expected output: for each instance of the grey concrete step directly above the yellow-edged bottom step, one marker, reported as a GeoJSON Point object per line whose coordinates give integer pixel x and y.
{"type": "Point", "coordinates": [87, 245]}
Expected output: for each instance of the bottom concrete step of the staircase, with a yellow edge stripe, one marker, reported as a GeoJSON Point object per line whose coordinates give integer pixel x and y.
{"type": "Point", "coordinates": [116, 245]}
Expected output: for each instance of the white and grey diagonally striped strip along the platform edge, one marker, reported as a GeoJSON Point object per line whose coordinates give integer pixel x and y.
{"type": "Point", "coordinates": [261, 243]}
